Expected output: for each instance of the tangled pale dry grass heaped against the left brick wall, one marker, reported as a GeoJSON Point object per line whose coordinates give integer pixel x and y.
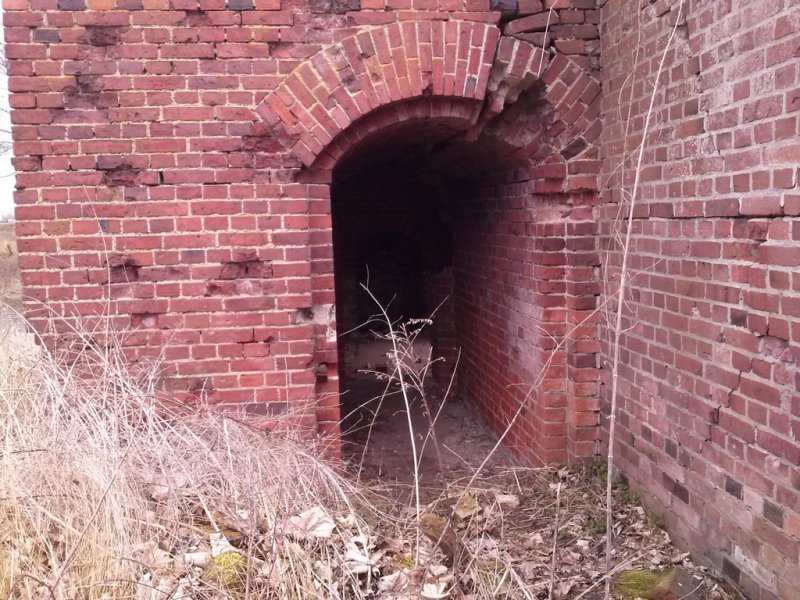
{"type": "Point", "coordinates": [107, 495]}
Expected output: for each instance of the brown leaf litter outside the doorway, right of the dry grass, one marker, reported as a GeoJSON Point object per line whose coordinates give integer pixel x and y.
{"type": "Point", "coordinates": [504, 522]}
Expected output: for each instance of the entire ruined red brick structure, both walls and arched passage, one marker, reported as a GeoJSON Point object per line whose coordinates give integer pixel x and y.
{"type": "Point", "coordinates": [206, 172]}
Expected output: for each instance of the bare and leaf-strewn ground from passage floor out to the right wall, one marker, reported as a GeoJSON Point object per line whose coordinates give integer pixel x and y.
{"type": "Point", "coordinates": [505, 514]}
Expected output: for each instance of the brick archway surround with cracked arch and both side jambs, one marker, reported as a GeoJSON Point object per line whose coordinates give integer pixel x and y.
{"type": "Point", "coordinates": [485, 86]}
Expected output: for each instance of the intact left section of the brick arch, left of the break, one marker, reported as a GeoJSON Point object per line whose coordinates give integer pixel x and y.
{"type": "Point", "coordinates": [376, 67]}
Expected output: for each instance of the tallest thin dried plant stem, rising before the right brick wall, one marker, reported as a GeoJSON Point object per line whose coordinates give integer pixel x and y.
{"type": "Point", "coordinates": [620, 302]}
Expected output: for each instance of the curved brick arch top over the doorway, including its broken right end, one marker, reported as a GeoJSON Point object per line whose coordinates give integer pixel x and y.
{"type": "Point", "coordinates": [387, 64]}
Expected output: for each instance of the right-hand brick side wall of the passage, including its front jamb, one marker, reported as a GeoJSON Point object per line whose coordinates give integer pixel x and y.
{"type": "Point", "coordinates": [518, 255]}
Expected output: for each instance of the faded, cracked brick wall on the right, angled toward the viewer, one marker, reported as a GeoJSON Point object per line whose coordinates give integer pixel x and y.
{"type": "Point", "coordinates": [709, 422]}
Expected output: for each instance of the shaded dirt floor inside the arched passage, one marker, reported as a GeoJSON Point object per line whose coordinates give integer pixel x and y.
{"type": "Point", "coordinates": [376, 421]}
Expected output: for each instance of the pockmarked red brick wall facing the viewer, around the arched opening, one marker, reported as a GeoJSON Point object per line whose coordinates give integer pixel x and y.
{"type": "Point", "coordinates": [175, 158]}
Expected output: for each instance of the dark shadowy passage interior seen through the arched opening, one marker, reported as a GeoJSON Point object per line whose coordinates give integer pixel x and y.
{"type": "Point", "coordinates": [427, 222]}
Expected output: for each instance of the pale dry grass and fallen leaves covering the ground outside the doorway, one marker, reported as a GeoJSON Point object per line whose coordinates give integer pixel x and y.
{"type": "Point", "coordinates": [107, 493]}
